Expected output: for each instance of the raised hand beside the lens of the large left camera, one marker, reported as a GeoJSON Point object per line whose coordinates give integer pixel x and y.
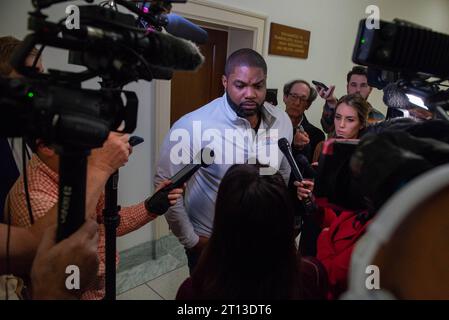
{"type": "Point", "coordinates": [113, 155]}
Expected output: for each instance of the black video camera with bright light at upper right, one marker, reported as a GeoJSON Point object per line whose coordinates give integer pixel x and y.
{"type": "Point", "coordinates": [408, 61]}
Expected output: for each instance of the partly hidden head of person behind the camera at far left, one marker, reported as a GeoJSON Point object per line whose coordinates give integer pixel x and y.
{"type": "Point", "coordinates": [7, 46]}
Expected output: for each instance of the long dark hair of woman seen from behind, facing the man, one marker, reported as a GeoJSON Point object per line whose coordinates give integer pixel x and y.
{"type": "Point", "coordinates": [251, 252]}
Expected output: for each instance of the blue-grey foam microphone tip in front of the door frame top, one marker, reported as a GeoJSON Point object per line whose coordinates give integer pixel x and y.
{"type": "Point", "coordinates": [181, 27]}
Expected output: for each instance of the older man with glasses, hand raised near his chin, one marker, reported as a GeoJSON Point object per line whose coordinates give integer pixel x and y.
{"type": "Point", "coordinates": [298, 97]}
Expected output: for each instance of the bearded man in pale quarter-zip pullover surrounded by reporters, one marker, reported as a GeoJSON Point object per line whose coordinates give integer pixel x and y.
{"type": "Point", "coordinates": [239, 128]}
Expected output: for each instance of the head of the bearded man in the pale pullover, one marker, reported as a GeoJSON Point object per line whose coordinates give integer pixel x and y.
{"type": "Point", "coordinates": [245, 82]}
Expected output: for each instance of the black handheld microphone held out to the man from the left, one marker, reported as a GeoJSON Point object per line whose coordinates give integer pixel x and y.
{"type": "Point", "coordinates": [159, 202]}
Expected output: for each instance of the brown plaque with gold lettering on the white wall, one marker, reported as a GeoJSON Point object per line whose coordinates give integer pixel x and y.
{"type": "Point", "coordinates": [289, 41]}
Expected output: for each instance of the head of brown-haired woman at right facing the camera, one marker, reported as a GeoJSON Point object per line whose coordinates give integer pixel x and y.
{"type": "Point", "coordinates": [351, 116]}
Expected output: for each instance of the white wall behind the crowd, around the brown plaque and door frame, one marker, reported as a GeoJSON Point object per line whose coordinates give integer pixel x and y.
{"type": "Point", "coordinates": [333, 25]}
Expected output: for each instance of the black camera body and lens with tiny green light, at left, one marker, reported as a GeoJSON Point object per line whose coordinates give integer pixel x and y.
{"type": "Point", "coordinates": [63, 115]}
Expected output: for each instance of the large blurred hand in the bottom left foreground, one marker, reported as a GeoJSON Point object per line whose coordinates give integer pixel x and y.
{"type": "Point", "coordinates": [48, 274]}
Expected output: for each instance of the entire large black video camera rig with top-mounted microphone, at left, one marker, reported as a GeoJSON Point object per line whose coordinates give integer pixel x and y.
{"type": "Point", "coordinates": [111, 45]}
